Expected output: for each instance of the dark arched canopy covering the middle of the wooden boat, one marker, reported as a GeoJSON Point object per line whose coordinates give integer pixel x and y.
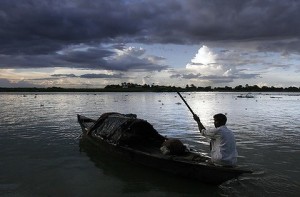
{"type": "Point", "coordinates": [126, 129]}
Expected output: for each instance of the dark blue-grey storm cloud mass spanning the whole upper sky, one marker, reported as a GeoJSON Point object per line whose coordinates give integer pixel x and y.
{"type": "Point", "coordinates": [32, 32]}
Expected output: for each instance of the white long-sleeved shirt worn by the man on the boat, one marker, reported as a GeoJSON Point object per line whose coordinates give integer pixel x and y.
{"type": "Point", "coordinates": [223, 148]}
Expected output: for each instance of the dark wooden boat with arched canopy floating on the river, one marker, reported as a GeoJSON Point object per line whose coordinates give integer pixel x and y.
{"type": "Point", "coordinates": [189, 164]}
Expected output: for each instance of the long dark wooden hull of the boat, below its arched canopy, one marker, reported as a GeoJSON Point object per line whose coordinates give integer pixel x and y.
{"type": "Point", "coordinates": [192, 165]}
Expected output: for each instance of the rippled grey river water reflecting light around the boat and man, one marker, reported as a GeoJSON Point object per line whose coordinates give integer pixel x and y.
{"type": "Point", "coordinates": [42, 155]}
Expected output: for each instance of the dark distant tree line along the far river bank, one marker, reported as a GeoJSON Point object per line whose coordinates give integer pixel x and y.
{"type": "Point", "coordinates": [132, 87]}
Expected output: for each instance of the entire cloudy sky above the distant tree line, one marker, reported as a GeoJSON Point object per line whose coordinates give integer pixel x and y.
{"type": "Point", "coordinates": [94, 43]}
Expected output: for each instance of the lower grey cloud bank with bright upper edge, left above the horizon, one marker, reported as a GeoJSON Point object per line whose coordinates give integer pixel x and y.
{"type": "Point", "coordinates": [91, 58]}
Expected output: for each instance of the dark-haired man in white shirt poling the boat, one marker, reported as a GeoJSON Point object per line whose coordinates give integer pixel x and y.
{"type": "Point", "coordinates": [222, 141]}
